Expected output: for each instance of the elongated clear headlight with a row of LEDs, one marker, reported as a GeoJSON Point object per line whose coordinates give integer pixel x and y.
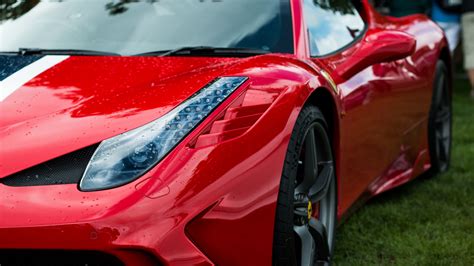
{"type": "Point", "coordinates": [124, 158]}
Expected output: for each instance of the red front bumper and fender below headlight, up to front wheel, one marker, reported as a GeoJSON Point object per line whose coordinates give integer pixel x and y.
{"type": "Point", "coordinates": [195, 207]}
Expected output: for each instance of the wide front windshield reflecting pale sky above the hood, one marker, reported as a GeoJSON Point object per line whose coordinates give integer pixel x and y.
{"type": "Point", "coordinates": [129, 27]}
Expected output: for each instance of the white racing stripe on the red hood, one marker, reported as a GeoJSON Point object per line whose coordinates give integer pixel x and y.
{"type": "Point", "coordinates": [15, 81]}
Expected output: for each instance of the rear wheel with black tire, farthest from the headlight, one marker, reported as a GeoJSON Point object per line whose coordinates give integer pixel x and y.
{"type": "Point", "coordinates": [440, 122]}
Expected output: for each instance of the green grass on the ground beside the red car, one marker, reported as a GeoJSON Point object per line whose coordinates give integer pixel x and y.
{"type": "Point", "coordinates": [425, 222]}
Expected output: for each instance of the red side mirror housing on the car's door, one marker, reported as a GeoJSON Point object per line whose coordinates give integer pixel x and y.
{"type": "Point", "coordinates": [378, 47]}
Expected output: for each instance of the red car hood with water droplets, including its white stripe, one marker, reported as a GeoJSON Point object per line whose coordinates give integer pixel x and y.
{"type": "Point", "coordinates": [72, 102]}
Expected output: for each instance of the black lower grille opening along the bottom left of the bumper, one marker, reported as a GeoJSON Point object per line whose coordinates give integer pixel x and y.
{"type": "Point", "coordinates": [56, 258]}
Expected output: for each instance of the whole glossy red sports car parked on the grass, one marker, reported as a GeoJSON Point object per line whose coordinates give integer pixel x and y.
{"type": "Point", "coordinates": [208, 131]}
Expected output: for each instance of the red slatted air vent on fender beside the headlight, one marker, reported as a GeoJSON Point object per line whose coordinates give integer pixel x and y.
{"type": "Point", "coordinates": [235, 121]}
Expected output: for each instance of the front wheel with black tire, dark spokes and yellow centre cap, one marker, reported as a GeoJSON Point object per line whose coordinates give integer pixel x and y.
{"type": "Point", "coordinates": [306, 211]}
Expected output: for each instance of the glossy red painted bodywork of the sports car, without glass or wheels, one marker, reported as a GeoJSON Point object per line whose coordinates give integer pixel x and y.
{"type": "Point", "coordinates": [213, 202]}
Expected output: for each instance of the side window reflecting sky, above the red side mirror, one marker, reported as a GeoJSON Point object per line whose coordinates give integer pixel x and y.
{"type": "Point", "coordinates": [332, 24]}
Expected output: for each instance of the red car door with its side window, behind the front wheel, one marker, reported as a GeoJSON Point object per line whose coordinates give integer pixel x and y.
{"type": "Point", "coordinates": [374, 99]}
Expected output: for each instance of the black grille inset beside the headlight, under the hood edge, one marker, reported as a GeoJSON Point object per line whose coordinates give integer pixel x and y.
{"type": "Point", "coordinates": [67, 169]}
